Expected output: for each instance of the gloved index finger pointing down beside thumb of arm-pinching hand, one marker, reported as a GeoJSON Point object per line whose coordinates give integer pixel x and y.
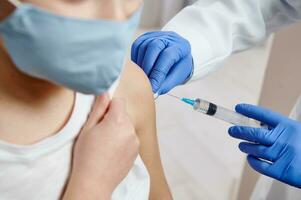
{"type": "Point", "coordinates": [167, 59]}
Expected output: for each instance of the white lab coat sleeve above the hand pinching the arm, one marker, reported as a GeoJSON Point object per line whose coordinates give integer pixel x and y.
{"type": "Point", "coordinates": [218, 28]}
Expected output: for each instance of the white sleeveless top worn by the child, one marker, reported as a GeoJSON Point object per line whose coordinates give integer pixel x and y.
{"type": "Point", "coordinates": [40, 171]}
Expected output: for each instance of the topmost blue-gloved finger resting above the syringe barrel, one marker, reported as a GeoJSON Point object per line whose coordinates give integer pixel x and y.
{"type": "Point", "coordinates": [261, 114]}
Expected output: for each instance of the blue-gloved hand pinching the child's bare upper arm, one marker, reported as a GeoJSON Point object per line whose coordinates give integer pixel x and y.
{"type": "Point", "coordinates": [166, 59]}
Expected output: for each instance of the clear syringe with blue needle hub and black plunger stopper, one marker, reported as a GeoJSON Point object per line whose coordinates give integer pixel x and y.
{"type": "Point", "coordinates": [219, 112]}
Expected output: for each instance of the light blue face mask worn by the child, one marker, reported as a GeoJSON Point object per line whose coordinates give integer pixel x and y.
{"type": "Point", "coordinates": [84, 55]}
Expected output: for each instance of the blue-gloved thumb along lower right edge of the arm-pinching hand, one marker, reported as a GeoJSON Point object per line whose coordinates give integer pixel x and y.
{"type": "Point", "coordinates": [177, 76]}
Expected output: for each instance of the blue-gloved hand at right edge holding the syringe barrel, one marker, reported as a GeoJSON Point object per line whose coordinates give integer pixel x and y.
{"type": "Point", "coordinates": [275, 152]}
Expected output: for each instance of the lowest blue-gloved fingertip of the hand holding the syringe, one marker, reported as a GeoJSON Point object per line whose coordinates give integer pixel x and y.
{"type": "Point", "coordinates": [260, 166]}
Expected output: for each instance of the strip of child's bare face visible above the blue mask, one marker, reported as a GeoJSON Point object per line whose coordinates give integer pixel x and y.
{"type": "Point", "coordinates": [90, 9]}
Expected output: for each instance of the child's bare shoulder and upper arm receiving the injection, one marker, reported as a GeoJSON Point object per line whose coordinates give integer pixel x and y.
{"type": "Point", "coordinates": [136, 89]}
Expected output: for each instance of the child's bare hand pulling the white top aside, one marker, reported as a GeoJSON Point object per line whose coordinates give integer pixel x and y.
{"type": "Point", "coordinates": [104, 153]}
